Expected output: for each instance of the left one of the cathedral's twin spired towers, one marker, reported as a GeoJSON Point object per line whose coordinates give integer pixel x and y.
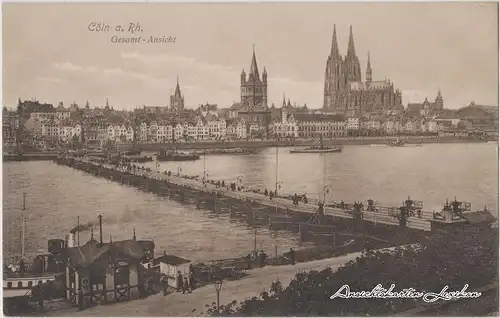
{"type": "Point", "coordinates": [334, 76]}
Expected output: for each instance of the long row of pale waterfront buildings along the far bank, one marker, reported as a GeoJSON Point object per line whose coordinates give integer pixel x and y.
{"type": "Point", "coordinates": [290, 125]}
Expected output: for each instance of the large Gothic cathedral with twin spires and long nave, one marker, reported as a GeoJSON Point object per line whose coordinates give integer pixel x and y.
{"type": "Point", "coordinates": [345, 92]}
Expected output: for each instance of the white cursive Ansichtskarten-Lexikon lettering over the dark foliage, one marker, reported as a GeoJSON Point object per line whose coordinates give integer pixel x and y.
{"type": "Point", "coordinates": [380, 292]}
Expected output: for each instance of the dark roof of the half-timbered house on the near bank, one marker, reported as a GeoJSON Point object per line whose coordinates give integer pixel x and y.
{"type": "Point", "coordinates": [83, 256]}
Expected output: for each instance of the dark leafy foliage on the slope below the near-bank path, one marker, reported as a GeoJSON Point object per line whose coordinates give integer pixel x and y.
{"type": "Point", "coordinates": [455, 258]}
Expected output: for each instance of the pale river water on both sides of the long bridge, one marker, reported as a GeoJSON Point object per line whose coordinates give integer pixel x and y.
{"type": "Point", "coordinates": [57, 194]}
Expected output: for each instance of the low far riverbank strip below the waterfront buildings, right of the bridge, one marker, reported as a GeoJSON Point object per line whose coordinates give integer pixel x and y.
{"type": "Point", "coordinates": [295, 143]}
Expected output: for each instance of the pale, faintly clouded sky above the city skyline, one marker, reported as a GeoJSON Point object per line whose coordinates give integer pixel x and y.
{"type": "Point", "coordinates": [49, 53]}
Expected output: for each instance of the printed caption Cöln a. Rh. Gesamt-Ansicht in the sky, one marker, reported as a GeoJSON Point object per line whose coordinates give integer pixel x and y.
{"type": "Point", "coordinates": [131, 33]}
